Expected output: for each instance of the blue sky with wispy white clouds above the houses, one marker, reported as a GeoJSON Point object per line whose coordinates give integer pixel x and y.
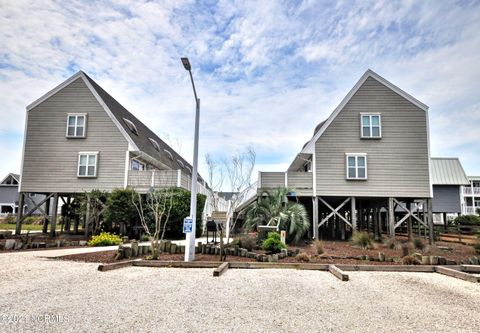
{"type": "Point", "coordinates": [266, 71]}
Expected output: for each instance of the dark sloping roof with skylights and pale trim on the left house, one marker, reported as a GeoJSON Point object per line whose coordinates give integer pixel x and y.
{"type": "Point", "coordinates": [141, 141]}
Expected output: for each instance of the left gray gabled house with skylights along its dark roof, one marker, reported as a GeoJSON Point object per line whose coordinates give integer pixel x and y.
{"type": "Point", "coordinates": [79, 138]}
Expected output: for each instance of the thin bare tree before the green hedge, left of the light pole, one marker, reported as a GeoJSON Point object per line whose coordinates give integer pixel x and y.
{"type": "Point", "coordinates": [159, 204]}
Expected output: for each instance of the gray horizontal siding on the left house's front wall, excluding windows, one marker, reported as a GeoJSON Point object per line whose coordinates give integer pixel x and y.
{"type": "Point", "coordinates": [50, 159]}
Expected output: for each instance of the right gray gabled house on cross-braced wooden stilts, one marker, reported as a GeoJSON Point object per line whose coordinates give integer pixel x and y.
{"type": "Point", "coordinates": [369, 157]}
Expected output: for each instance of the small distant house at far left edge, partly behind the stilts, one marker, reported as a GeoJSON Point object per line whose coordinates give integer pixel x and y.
{"type": "Point", "coordinates": [9, 196]}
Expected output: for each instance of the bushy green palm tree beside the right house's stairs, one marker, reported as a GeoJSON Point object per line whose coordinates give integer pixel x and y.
{"type": "Point", "coordinates": [274, 209]}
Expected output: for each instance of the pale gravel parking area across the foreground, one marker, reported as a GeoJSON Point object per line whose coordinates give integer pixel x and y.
{"type": "Point", "coordinates": [39, 295]}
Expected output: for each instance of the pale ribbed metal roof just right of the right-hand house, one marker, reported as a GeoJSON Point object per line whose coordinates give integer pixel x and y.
{"type": "Point", "coordinates": [448, 171]}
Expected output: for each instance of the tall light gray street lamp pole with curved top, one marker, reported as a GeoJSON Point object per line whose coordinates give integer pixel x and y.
{"type": "Point", "coordinates": [190, 237]}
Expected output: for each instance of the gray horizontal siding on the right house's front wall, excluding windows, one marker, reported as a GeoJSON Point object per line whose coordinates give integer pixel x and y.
{"type": "Point", "coordinates": [398, 164]}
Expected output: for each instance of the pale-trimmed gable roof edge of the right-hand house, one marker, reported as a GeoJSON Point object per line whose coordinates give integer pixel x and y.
{"type": "Point", "coordinates": [320, 129]}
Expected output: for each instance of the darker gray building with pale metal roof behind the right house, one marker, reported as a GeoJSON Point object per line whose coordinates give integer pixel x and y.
{"type": "Point", "coordinates": [448, 177]}
